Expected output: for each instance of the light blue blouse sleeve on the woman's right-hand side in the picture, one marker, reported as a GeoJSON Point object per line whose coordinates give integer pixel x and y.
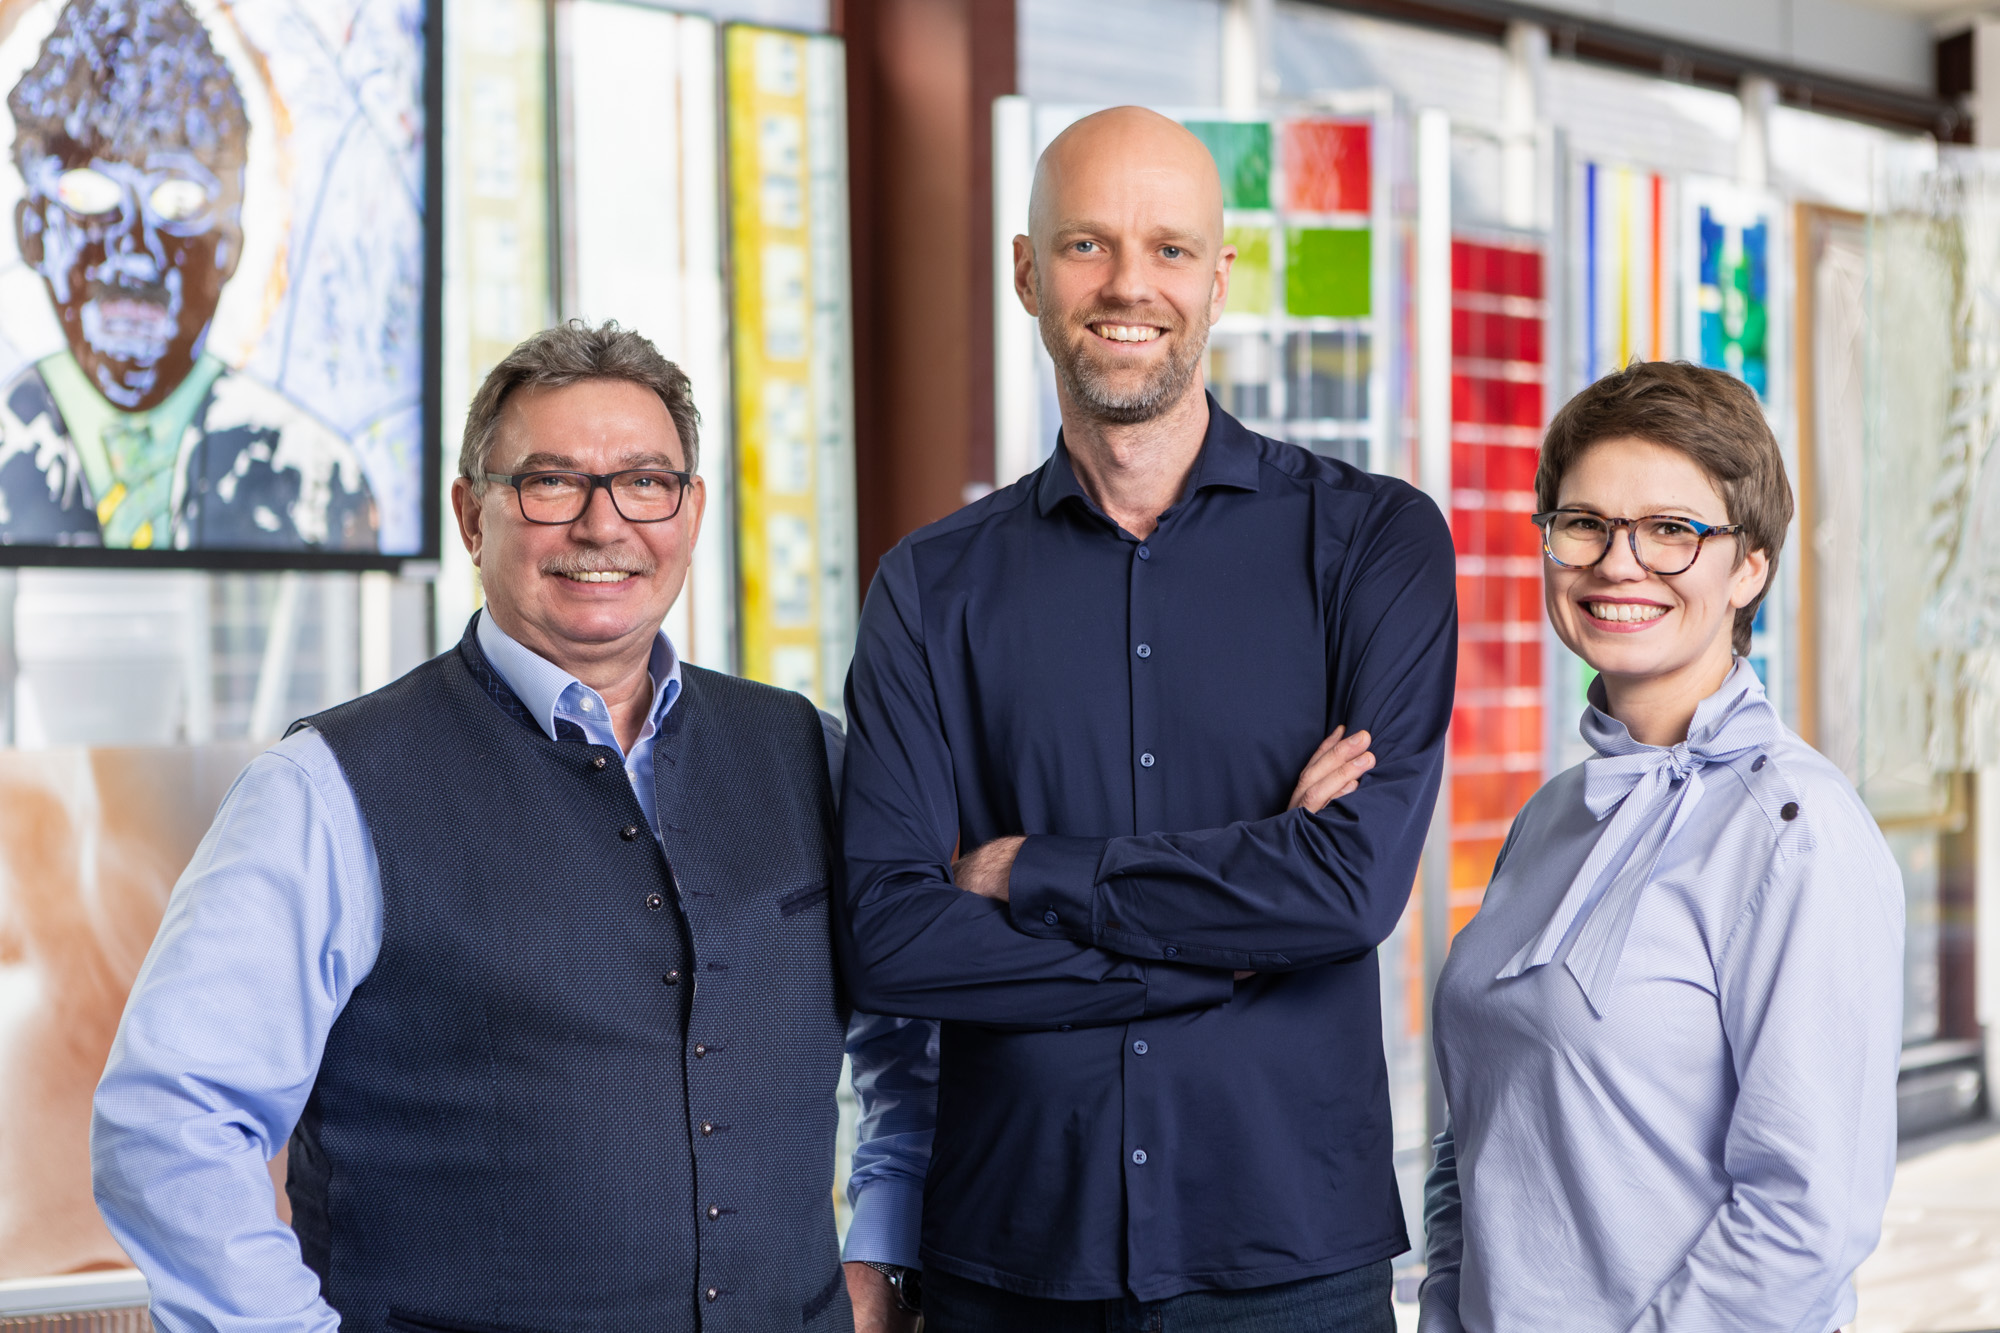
{"type": "Point", "coordinates": [1811, 1146]}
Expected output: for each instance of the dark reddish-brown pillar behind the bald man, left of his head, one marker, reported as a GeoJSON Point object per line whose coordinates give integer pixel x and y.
{"type": "Point", "coordinates": [921, 85]}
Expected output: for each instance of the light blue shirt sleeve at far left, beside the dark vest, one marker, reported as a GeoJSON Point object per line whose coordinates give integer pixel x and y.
{"type": "Point", "coordinates": [265, 938]}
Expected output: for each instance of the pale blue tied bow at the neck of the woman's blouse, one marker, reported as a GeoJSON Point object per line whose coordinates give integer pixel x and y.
{"type": "Point", "coordinates": [1649, 796]}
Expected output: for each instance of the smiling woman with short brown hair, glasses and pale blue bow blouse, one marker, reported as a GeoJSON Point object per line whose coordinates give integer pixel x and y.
{"type": "Point", "coordinates": [1633, 1032]}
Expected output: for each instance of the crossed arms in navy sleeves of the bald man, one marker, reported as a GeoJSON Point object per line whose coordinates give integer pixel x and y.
{"type": "Point", "coordinates": [1151, 924]}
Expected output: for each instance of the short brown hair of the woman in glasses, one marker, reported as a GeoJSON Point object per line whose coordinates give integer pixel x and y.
{"type": "Point", "coordinates": [1707, 415]}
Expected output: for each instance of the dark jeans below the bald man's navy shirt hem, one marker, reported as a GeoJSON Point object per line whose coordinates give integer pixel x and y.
{"type": "Point", "coordinates": [1353, 1302]}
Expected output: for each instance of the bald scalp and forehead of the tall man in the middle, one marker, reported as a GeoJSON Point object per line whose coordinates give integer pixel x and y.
{"type": "Point", "coordinates": [1131, 159]}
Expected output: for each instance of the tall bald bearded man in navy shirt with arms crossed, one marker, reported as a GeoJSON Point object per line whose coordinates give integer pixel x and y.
{"type": "Point", "coordinates": [1103, 820]}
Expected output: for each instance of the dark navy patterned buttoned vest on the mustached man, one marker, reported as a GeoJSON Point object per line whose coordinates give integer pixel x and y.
{"type": "Point", "coordinates": [589, 1088]}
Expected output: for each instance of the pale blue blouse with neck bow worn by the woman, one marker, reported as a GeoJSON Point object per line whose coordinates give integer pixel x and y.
{"type": "Point", "coordinates": [1669, 1046]}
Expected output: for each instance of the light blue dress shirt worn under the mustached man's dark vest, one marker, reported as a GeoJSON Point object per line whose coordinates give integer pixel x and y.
{"type": "Point", "coordinates": [269, 932]}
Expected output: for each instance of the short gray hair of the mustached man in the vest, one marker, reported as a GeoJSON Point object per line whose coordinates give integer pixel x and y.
{"type": "Point", "coordinates": [565, 355]}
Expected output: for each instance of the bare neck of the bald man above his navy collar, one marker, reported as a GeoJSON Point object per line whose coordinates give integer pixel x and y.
{"type": "Point", "coordinates": [1135, 473]}
